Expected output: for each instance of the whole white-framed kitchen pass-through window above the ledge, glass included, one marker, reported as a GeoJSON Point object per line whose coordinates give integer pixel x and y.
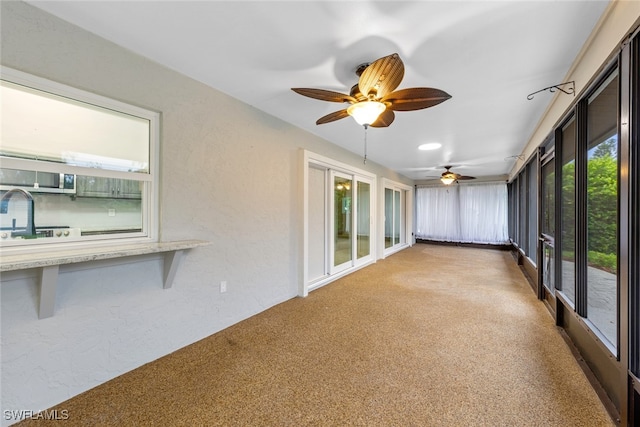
{"type": "Point", "coordinates": [76, 167]}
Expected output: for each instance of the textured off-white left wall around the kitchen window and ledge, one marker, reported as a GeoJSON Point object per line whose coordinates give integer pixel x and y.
{"type": "Point", "coordinates": [229, 174]}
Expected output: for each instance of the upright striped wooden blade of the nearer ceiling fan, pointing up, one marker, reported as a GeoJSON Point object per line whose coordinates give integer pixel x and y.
{"type": "Point", "coordinates": [382, 76]}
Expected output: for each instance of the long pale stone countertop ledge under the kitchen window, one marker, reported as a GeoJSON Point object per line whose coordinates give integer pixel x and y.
{"type": "Point", "coordinates": [70, 256]}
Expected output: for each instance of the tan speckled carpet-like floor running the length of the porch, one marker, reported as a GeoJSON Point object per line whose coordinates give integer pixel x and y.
{"type": "Point", "coordinates": [430, 336]}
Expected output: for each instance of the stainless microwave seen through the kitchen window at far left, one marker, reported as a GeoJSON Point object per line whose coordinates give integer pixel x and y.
{"type": "Point", "coordinates": [37, 182]}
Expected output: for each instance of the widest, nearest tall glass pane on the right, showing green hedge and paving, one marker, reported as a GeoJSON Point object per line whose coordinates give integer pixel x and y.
{"type": "Point", "coordinates": [602, 209]}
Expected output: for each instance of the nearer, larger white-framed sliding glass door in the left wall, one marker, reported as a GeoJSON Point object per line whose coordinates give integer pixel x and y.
{"type": "Point", "coordinates": [338, 217]}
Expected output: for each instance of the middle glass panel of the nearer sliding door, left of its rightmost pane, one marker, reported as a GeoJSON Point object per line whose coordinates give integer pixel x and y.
{"type": "Point", "coordinates": [342, 221]}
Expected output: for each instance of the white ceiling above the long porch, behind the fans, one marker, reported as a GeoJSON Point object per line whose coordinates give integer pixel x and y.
{"type": "Point", "coordinates": [487, 55]}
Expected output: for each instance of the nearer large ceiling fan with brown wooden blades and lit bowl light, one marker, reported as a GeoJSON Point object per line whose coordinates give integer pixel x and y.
{"type": "Point", "coordinates": [373, 100]}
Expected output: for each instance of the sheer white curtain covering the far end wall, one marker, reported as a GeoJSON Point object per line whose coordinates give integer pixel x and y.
{"type": "Point", "coordinates": [465, 213]}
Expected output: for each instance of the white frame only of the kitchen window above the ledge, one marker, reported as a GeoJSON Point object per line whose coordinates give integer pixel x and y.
{"type": "Point", "coordinates": [150, 199]}
